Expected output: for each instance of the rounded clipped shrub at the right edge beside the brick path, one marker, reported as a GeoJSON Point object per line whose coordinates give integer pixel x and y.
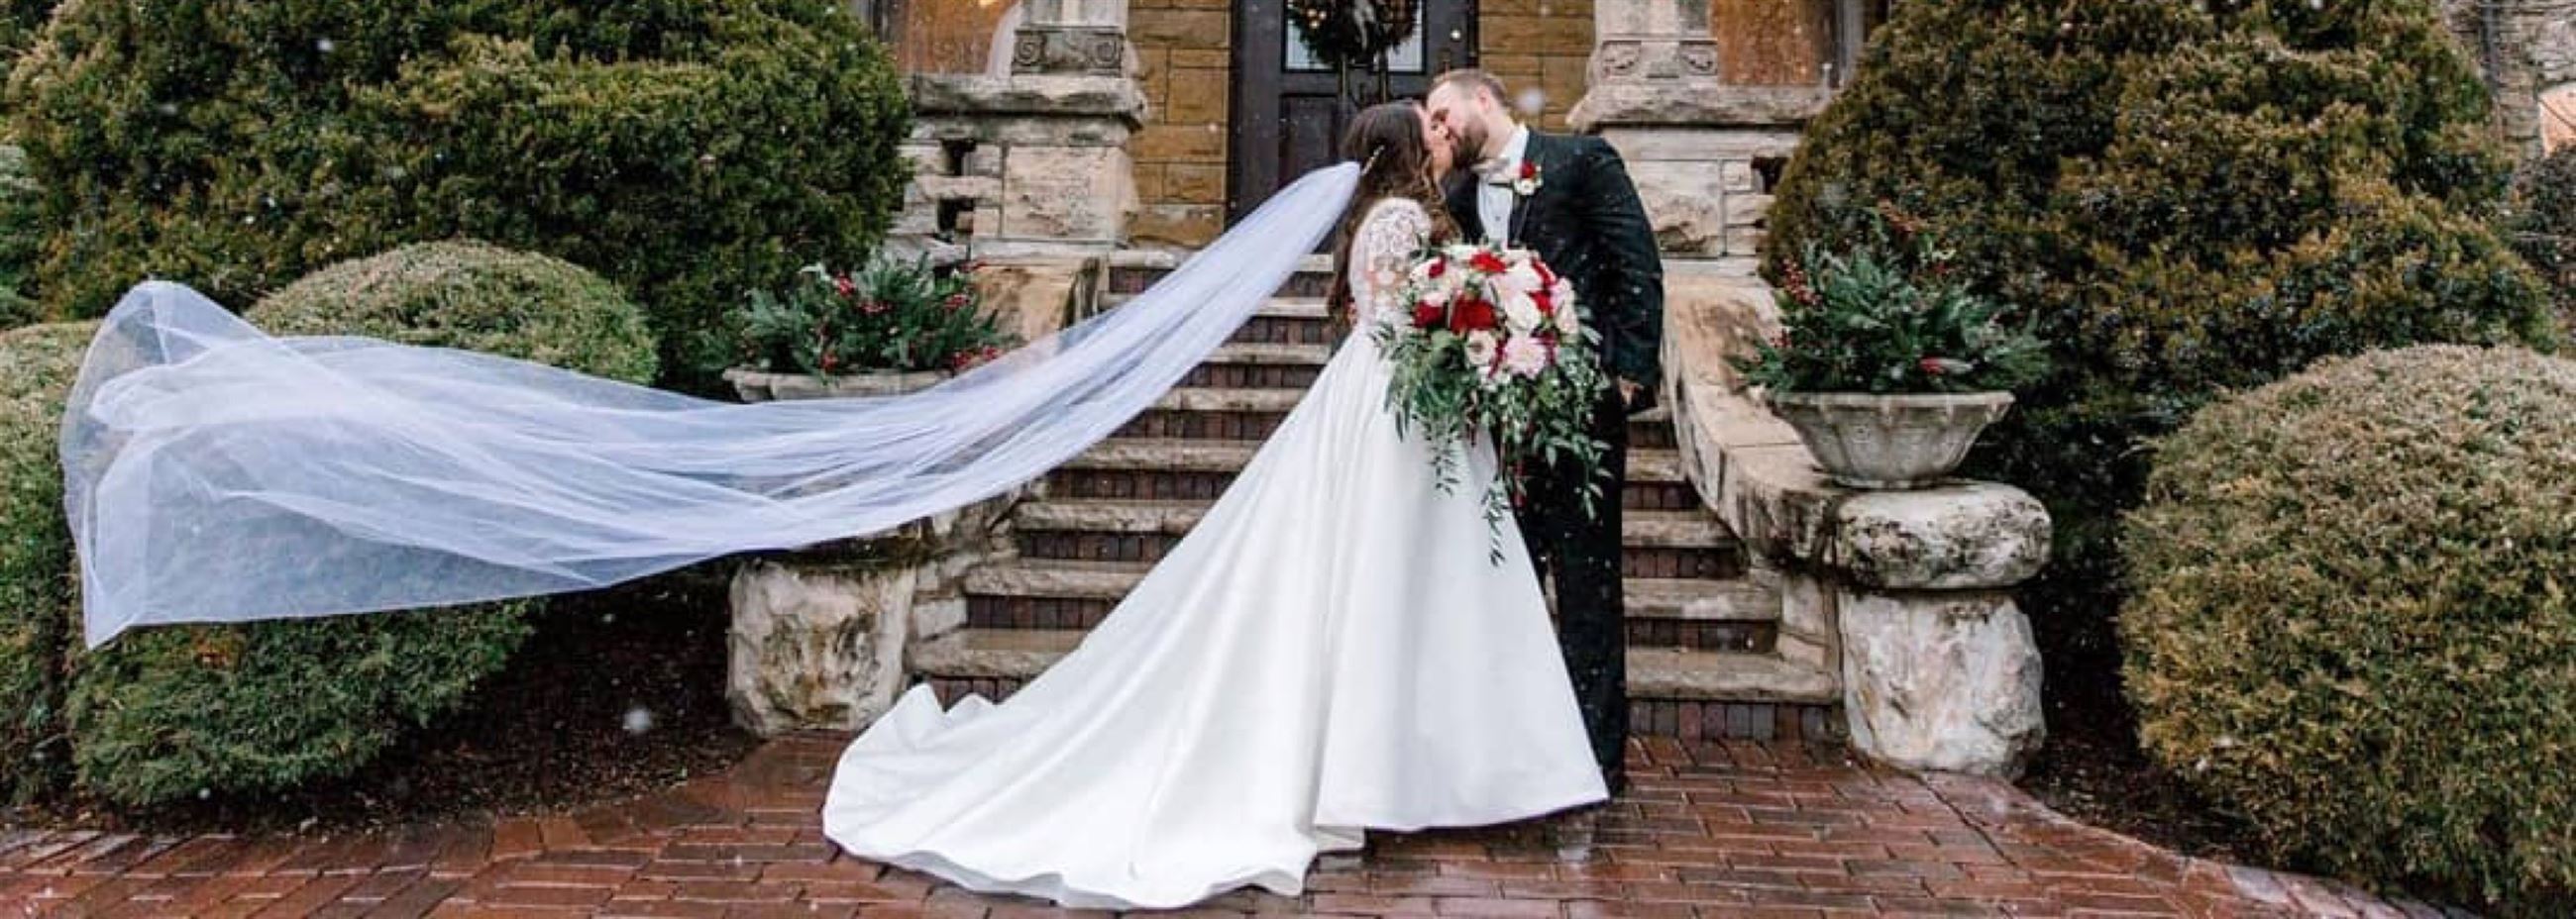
{"type": "Point", "coordinates": [2356, 619]}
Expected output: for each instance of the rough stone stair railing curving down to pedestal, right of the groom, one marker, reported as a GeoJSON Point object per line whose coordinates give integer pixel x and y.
{"type": "Point", "coordinates": [1902, 593]}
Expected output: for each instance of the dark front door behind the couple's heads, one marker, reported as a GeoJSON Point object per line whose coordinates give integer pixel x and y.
{"type": "Point", "coordinates": [1289, 109]}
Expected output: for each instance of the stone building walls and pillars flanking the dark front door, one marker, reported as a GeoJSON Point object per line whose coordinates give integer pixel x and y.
{"type": "Point", "coordinates": [1209, 104]}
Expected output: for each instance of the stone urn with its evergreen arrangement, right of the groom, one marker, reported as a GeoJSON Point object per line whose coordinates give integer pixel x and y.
{"type": "Point", "coordinates": [1887, 364]}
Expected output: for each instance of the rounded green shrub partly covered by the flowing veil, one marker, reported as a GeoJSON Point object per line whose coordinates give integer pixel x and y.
{"type": "Point", "coordinates": [225, 709]}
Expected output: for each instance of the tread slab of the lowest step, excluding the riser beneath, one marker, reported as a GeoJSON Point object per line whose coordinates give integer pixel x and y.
{"type": "Point", "coordinates": [1653, 673]}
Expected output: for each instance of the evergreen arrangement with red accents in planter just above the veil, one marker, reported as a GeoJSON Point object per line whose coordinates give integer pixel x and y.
{"type": "Point", "coordinates": [880, 331]}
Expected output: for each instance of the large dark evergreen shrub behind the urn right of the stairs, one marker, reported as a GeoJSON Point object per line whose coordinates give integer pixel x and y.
{"type": "Point", "coordinates": [2183, 197]}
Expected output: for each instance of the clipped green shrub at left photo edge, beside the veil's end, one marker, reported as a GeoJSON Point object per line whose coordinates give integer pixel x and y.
{"type": "Point", "coordinates": [37, 369]}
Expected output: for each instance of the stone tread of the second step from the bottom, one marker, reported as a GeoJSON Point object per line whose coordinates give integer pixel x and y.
{"type": "Point", "coordinates": [1704, 601]}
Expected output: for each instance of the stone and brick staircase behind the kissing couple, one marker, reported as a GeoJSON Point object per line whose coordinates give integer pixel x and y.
{"type": "Point", "coordinates": [1701, 627]}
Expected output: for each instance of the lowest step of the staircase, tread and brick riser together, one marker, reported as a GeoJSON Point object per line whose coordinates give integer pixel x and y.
{"type": "Point", "coordinates": [1673, 691]}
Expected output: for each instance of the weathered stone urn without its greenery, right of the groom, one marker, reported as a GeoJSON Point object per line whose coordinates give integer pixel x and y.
{"type": "Point", "coordinates": [1900, 441]}
